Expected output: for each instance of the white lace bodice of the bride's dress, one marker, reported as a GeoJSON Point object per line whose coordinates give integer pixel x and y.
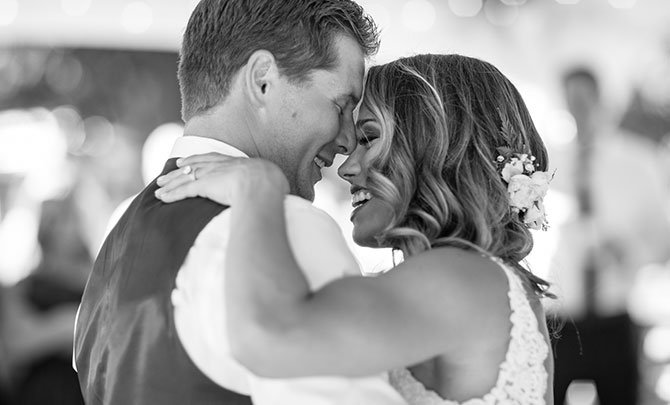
{"type": "Point", "coordinates": [522, 379]}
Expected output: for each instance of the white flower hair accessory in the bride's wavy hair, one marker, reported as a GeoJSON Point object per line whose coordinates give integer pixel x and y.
{"type": "Point", "coordinates": [526, 186]}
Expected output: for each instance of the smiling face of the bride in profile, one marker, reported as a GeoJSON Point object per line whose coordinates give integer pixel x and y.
{"type": "Point", "coordinates": [371, 214]}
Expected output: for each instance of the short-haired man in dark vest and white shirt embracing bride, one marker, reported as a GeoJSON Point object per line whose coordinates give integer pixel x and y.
{"type": "Point", "coordinates": [267, 78]}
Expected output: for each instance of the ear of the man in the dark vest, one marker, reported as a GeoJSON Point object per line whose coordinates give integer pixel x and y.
{"type": "Point", "coordinates": [260, 76]}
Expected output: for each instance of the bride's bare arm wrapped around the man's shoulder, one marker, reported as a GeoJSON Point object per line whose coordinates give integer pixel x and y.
{"type": "Point", "coordinates": [353, 326]}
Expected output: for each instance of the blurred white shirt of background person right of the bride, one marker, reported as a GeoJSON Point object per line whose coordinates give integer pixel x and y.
{"type": "Point", "coordinates": [629, 228]}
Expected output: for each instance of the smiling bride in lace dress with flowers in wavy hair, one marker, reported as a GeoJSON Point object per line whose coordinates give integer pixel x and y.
{"type": "Point", "coordinates": [450, 170]}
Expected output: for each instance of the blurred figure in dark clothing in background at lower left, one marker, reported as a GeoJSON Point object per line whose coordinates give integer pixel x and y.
{"type": "Point", "coordinates": [39, 311]}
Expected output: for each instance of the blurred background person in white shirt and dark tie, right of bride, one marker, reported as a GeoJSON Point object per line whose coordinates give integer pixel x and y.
{"type": "Point", "coordinates": [621, 224]}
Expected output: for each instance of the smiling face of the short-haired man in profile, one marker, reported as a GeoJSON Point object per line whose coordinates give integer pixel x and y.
{"type": "Point", "coordinates": [312, 122]}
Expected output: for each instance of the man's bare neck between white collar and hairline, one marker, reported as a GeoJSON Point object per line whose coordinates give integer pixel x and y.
{"type": "Point", "coordinates": [226, 124]}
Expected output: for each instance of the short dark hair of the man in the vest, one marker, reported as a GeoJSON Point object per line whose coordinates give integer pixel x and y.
{"type": "Point", "coordinates": [222, 34]}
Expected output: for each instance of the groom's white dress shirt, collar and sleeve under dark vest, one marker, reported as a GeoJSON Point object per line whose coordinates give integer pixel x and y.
{"type": "Point", "coordinates": [200, 305]}
